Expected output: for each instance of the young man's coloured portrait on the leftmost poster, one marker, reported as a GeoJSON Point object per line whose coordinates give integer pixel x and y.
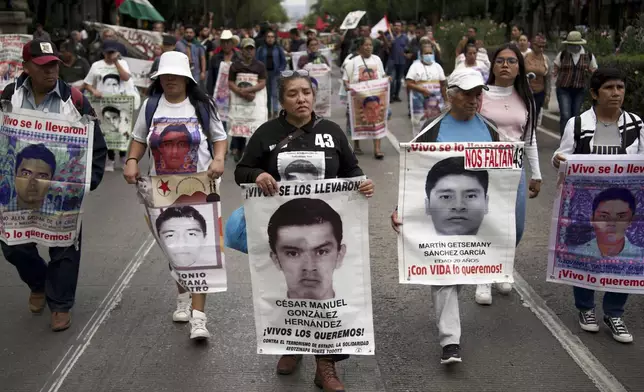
{"type": "Point", "coordinates": [35, 168]}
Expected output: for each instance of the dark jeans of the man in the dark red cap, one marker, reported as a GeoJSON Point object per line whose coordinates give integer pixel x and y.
{"type": "Point", "coordinates": [58, 278]}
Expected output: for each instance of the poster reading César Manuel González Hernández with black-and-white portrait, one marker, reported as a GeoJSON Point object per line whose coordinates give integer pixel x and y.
{"type": "Point", "coordinates": [308, 250]}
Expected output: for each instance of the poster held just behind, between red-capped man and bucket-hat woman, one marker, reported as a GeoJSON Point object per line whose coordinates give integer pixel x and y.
{"type": "Point", "coordinates": [116, 115]}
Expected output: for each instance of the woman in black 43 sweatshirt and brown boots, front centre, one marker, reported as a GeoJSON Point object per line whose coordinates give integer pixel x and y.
{"type": "Point", "coordinates": [275, 148]}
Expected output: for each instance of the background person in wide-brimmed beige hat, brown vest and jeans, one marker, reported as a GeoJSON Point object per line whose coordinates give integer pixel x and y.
{"type": "Point", "coordinates": [572, 70]}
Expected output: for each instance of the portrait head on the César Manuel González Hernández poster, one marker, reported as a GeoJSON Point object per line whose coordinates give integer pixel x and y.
{"type": "Point", "coordinates": [305, 238]}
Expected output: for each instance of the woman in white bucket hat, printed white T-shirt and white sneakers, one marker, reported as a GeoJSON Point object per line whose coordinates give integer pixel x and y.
{"type": "Point", "coordinates": [177, 101]}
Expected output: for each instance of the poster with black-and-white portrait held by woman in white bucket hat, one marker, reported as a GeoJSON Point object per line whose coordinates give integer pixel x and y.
{"type": "Point", "coordinates": [183, 212]}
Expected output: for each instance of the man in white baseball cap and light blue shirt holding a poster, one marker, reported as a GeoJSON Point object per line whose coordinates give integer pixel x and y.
{"type": "Point", "coordinates": [461, 123]}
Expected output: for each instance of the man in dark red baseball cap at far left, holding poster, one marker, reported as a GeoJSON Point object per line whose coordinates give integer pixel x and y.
{"type": "Point", "coordinates": [40, 89]}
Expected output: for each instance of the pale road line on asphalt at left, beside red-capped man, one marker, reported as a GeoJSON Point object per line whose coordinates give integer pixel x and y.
{"type": "Point", "coordinates": [113, 297]}
